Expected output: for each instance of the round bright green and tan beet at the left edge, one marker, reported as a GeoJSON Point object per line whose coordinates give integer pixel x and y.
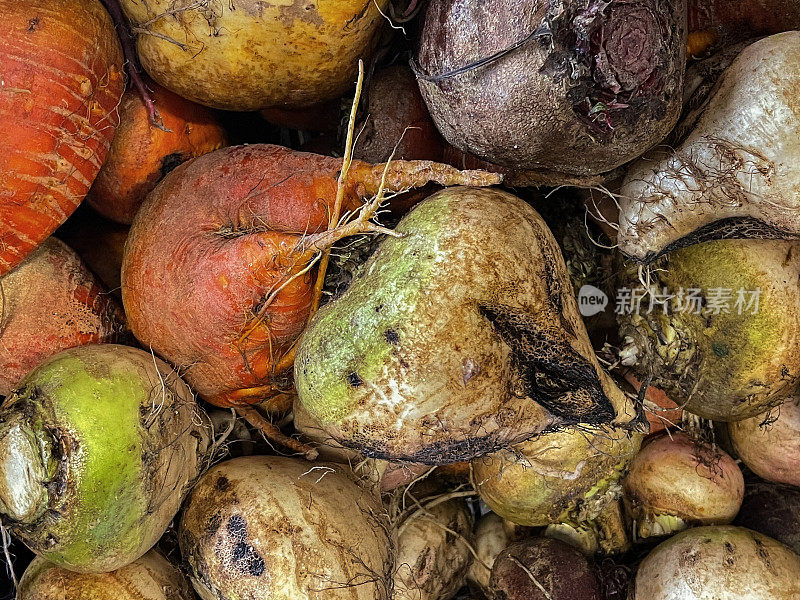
{"type": "Point", "coordinates": [98, 447]}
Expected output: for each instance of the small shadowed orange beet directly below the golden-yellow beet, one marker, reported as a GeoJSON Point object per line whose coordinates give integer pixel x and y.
{"type": "Point", "coordinates": [142, 154]}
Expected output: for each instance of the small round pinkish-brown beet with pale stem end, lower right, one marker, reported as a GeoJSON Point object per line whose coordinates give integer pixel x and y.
{"type": "Point", "coordinates": [675, 482]}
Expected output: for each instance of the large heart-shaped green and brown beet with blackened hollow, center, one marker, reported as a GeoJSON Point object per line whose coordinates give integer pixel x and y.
{"type": "Point", "coordinates": [457, 339]}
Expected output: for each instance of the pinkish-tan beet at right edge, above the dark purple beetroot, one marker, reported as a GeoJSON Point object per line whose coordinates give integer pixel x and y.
{"type": "Point", "coordinates": [769, 443]}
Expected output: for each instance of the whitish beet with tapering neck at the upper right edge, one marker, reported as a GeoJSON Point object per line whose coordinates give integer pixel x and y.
{"type": "Point", "coordinates": [735, 175]}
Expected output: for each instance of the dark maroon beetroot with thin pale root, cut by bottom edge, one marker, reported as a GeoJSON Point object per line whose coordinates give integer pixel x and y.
{"type": "Point", "coordinates": [543, 569]}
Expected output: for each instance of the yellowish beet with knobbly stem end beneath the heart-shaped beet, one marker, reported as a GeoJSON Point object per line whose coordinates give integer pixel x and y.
{"type": "Point", "coordinates": [569, 478]}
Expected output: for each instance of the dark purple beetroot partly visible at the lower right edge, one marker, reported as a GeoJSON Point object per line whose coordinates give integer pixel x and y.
{"type": "Point", "coordinates": [773, 510]}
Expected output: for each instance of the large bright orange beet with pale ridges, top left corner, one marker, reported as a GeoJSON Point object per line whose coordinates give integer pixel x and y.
{"type": "Point", "coordinates": [62, 79]}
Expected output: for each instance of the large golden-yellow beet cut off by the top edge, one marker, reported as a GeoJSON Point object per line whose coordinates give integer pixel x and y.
{"type": "Point", "coordinates": [246, 55]}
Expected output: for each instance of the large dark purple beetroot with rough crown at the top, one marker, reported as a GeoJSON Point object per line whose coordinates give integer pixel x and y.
{"type": "Point", "coordinates": [583, 87]}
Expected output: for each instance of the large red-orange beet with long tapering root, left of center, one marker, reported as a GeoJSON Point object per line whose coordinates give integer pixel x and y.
{"type": "Point", "coordinates": [217, 275]}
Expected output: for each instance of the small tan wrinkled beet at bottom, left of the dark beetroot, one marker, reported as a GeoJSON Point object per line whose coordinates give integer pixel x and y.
{"type": "Point", "coordinates": [433, 553]}
